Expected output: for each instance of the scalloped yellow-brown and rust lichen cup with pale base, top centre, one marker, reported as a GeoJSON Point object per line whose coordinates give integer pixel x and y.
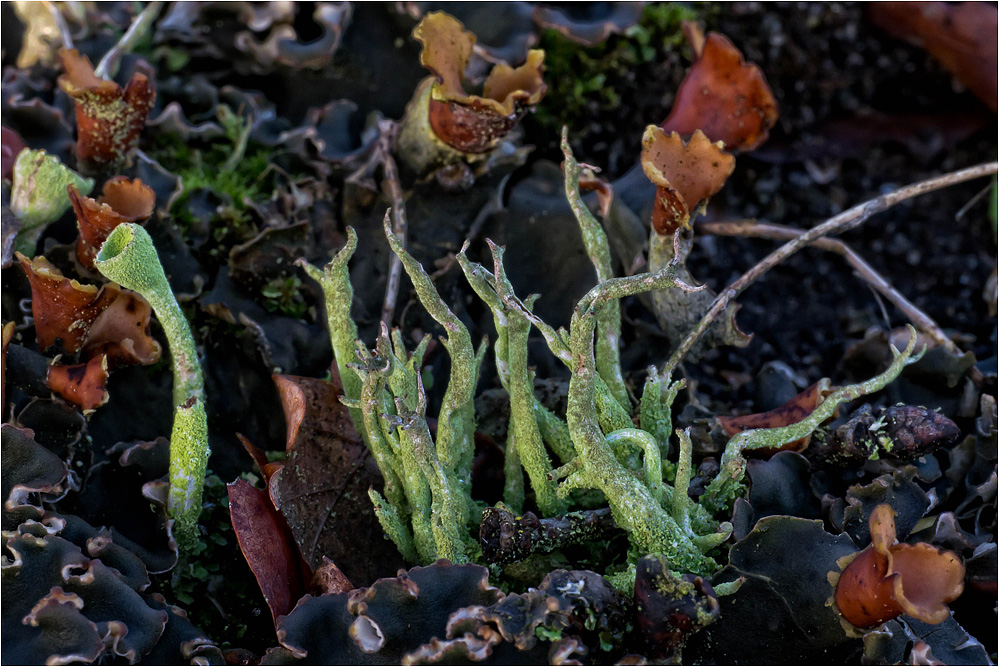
{"type": "Point", "coordinates": [444, 124]}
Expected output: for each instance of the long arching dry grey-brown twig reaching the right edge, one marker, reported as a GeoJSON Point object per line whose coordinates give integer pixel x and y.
{"type": "Point", "coordinates": [846, 220]}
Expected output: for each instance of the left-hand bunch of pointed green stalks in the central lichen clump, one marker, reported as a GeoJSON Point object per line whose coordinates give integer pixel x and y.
{"type": "Point", "coordinates": [427, 508]}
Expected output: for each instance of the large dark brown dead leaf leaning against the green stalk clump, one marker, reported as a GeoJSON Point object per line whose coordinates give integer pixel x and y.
{"type": "Point", "coordinates": [322, 490]}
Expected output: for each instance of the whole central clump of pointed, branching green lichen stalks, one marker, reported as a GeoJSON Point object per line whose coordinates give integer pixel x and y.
{"type": "Point", "coordinates": [427, 508]}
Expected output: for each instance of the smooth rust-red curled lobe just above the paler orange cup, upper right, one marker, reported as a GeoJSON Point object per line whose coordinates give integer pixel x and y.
{"type": "Point", "coordinates": [722, 95]}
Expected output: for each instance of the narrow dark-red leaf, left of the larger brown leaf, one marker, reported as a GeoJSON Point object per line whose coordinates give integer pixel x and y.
{"type": "Point", "coordinates": [268, 547]}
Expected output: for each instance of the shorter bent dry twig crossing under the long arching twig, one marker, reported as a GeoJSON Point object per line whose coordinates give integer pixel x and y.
{"type": "Point", "coordinates": [864, 270]}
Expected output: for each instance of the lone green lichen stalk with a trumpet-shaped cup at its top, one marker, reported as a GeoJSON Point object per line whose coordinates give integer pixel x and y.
{"type": "Point", "coordinates": [129, 258]}
